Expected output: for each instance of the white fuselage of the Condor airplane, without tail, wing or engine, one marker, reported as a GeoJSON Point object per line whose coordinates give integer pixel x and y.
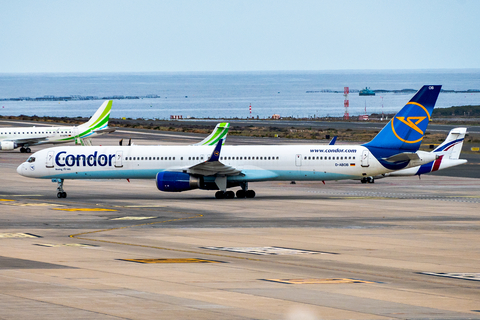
{"type": "Point", "coordinates": [257, 163]}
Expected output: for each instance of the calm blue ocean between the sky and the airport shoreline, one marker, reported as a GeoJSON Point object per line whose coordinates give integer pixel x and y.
{"type": "Point", "coordinates": [299, 94]}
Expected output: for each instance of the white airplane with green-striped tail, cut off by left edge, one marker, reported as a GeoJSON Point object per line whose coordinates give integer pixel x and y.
{"type": "Point", "coordinates": [24, 137]}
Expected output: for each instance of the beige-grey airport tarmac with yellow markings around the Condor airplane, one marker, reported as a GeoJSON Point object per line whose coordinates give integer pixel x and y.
{"type": "Point", "coordinates": [401, 248]}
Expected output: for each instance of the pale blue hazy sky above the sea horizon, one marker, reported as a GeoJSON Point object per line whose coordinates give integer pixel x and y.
{"type": "Point", "coordinates": [230, 35]}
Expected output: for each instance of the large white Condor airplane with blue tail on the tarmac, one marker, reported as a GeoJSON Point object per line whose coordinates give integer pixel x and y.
{"type": "Point", "coordinates": [182, 168]}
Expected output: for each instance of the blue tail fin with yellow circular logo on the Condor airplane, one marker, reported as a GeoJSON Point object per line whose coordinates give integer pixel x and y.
{"type": "Point", "coordinates": [406, 129]}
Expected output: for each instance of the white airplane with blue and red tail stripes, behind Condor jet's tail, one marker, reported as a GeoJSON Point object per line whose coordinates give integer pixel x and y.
{"type": "Point", "coordinates": [448, 156]}
